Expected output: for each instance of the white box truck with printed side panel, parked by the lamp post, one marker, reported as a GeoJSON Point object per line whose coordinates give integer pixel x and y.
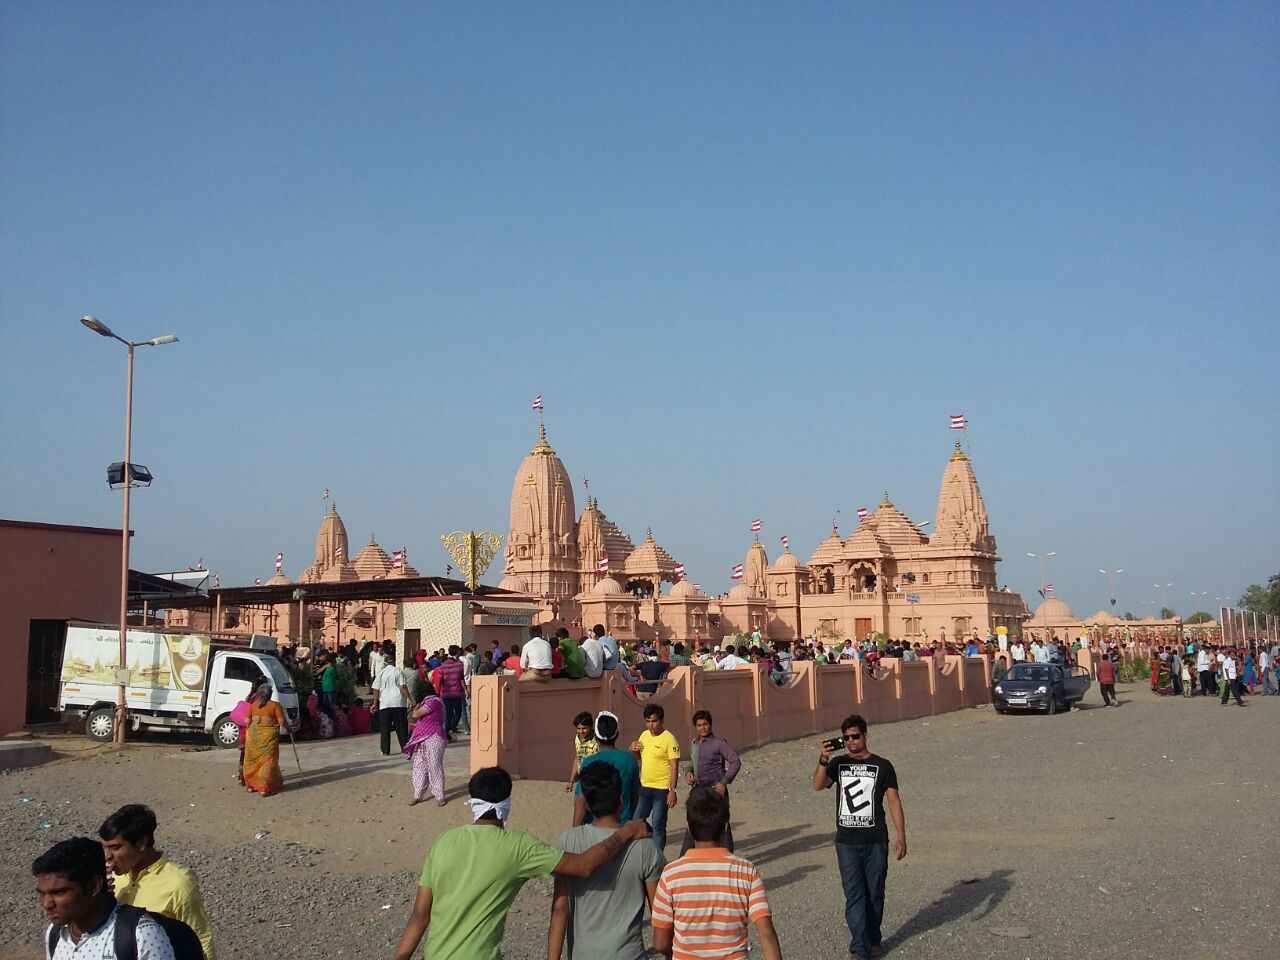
{"type": "Point", "coordinates": [181, 682]}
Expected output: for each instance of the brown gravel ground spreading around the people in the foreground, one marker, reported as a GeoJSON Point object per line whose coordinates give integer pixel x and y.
{"type": "Point", "coordinates": [1137, 833]}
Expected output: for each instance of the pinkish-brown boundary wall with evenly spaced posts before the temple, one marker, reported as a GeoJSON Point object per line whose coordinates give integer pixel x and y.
{"type": "Point", "coordinates": [528, 728]}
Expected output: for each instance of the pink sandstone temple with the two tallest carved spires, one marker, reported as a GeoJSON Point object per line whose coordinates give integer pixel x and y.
{"type": "Point", "coordinates": [888, 577]}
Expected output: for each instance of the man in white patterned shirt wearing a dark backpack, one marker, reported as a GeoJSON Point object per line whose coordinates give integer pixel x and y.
{"type": "Point", "coordinates": [84, 918]}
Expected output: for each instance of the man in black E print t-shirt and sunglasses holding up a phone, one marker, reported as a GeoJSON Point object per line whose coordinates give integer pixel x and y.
{"type": "Point", "coordinates": [866, 784]}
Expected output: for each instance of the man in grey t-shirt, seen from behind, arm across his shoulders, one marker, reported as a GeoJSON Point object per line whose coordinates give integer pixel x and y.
{"type": "Point", "coordinates": [604, 915]}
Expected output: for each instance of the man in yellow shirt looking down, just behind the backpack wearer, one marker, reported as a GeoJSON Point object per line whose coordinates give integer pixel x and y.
{"type": "Point", "coordinates": [148, 879]}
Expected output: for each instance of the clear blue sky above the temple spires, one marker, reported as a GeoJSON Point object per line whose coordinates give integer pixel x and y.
{"type": "Point", "coordinates": [753, 257]}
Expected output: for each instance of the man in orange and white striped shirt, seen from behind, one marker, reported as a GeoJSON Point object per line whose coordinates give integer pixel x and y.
{"type": "Point", "coordinates": [707, 898]}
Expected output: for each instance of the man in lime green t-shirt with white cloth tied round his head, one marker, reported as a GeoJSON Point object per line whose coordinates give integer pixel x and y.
{"type": "Point", "coordinates": [473, 875]}
